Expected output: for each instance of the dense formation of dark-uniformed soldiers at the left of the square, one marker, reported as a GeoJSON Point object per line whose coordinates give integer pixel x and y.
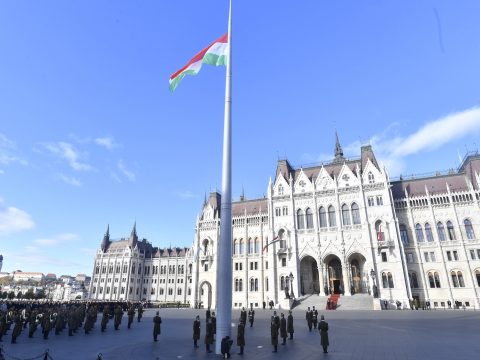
{"type": "Point", "coordinates": [58, 316]}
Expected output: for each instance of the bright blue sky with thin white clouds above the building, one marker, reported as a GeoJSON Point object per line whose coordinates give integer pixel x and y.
{"type": "Point", "coordinates": [90, 134]}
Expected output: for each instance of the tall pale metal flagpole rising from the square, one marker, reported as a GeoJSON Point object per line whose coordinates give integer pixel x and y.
{"type": "Point", "coordinates": [224, 258]}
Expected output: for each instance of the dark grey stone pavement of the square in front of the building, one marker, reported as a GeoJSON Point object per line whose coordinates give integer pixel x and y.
{"type": "Point", "coordinates": [435, 334]}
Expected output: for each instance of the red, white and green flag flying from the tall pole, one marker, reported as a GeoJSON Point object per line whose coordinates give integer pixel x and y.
{"type": "Point", "coordinates": [214, 54]}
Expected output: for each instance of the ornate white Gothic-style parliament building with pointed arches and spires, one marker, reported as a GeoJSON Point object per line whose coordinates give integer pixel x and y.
{"type": "Point", "coordinates": [342, 227]}
